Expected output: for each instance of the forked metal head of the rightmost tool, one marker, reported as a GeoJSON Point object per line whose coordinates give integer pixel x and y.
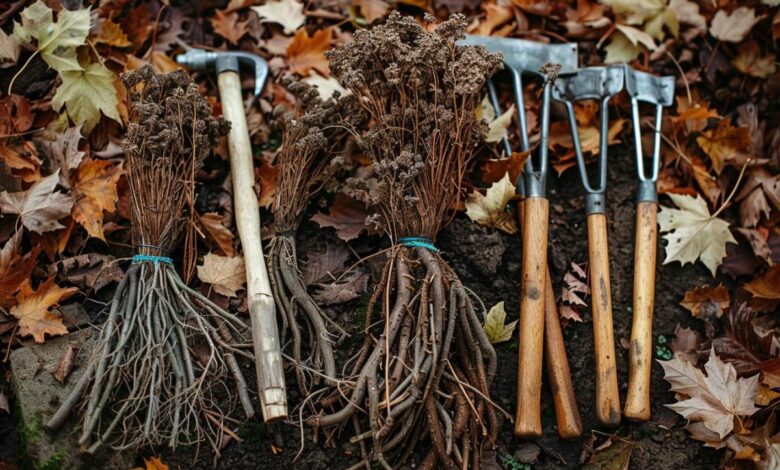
{"type": "Point", "coordinates": [658, 91]}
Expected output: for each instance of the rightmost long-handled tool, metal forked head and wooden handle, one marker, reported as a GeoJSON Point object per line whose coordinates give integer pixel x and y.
{"type": "Point", "coordinates": [658, 91]}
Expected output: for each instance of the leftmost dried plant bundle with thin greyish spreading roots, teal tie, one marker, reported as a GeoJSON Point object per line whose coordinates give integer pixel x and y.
{"type": "Point", "coordinates": [161, 369]}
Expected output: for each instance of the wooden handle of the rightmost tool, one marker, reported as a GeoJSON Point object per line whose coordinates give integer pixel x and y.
{"type": "Point", "coordinates": [641, 350]}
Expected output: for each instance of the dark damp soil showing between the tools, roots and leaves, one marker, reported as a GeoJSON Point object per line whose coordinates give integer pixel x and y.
{"type": "Point", "coordinates": [489, 264]}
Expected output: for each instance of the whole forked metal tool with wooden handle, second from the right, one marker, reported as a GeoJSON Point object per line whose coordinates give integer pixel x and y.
{"type": "Point", "coordinates": [597, 83]}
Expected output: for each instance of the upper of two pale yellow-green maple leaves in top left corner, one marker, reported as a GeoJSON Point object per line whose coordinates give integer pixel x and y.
{"type": "Point", "coordinates": [56, 42]}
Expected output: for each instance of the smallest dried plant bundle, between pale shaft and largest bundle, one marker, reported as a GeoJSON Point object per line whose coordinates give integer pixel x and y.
{"type": "Point", "coordinates": [313, 137]}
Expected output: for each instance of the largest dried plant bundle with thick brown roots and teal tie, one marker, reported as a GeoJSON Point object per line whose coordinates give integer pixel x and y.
{"type": "Point", "coordinates": [425, 367]}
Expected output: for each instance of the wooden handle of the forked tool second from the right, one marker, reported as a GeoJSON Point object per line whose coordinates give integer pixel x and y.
{"type": "Point", "coordinates": [607, 396]}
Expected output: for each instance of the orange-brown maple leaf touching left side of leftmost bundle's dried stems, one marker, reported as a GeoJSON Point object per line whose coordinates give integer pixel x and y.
{"type": "Point", "coordinates": [95, 192]}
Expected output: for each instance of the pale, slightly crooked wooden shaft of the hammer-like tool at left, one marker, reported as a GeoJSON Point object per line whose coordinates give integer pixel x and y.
{"type": "Point", "coordinates": [262, 313]}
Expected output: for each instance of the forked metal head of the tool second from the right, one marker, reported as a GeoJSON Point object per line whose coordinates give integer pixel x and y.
{"type": "Point", "coordinates": [591, 83]}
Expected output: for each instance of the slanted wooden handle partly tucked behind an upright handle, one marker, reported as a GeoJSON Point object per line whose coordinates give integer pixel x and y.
{"type": "Point", "coordinates": [566, 411]}
